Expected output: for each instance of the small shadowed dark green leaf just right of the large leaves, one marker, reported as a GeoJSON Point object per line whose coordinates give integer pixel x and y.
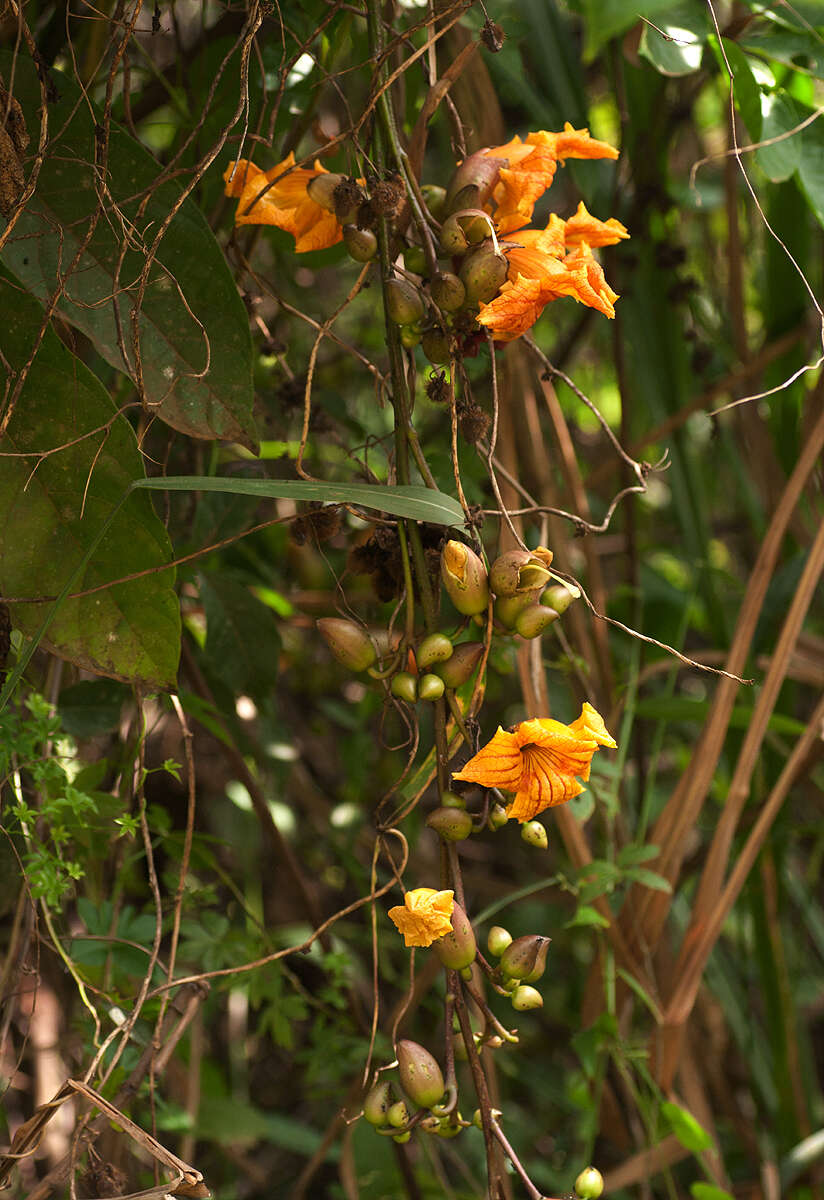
{"type": "Point", "coordinates": [243, 643]}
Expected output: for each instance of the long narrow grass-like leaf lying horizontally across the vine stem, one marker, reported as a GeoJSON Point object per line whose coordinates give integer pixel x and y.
{"type": "Point", "coordinates": [402, 501]}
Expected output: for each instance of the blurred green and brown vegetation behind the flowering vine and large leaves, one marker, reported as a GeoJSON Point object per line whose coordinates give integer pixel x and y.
{"type": "Point", "coordinates": [681, 1046]}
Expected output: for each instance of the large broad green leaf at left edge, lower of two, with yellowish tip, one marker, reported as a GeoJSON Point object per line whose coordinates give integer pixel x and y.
{"type": "Point", "coordinates": [53, 508]}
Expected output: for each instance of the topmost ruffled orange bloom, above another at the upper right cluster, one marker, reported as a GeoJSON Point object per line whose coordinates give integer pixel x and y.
{"type": "Point", "coordinates": [528, 169]}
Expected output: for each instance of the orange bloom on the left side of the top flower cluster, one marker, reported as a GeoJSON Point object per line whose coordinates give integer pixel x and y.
{"type": "Point", "coordinates": [286, 203]}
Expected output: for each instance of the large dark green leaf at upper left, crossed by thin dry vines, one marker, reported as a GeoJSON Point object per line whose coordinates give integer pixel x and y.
{"type": "Point", "coordinates": [194, 332]}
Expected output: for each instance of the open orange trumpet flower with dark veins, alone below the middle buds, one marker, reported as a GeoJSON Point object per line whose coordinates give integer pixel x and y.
{"type": "Point", "coordinates": [539, 761]}
